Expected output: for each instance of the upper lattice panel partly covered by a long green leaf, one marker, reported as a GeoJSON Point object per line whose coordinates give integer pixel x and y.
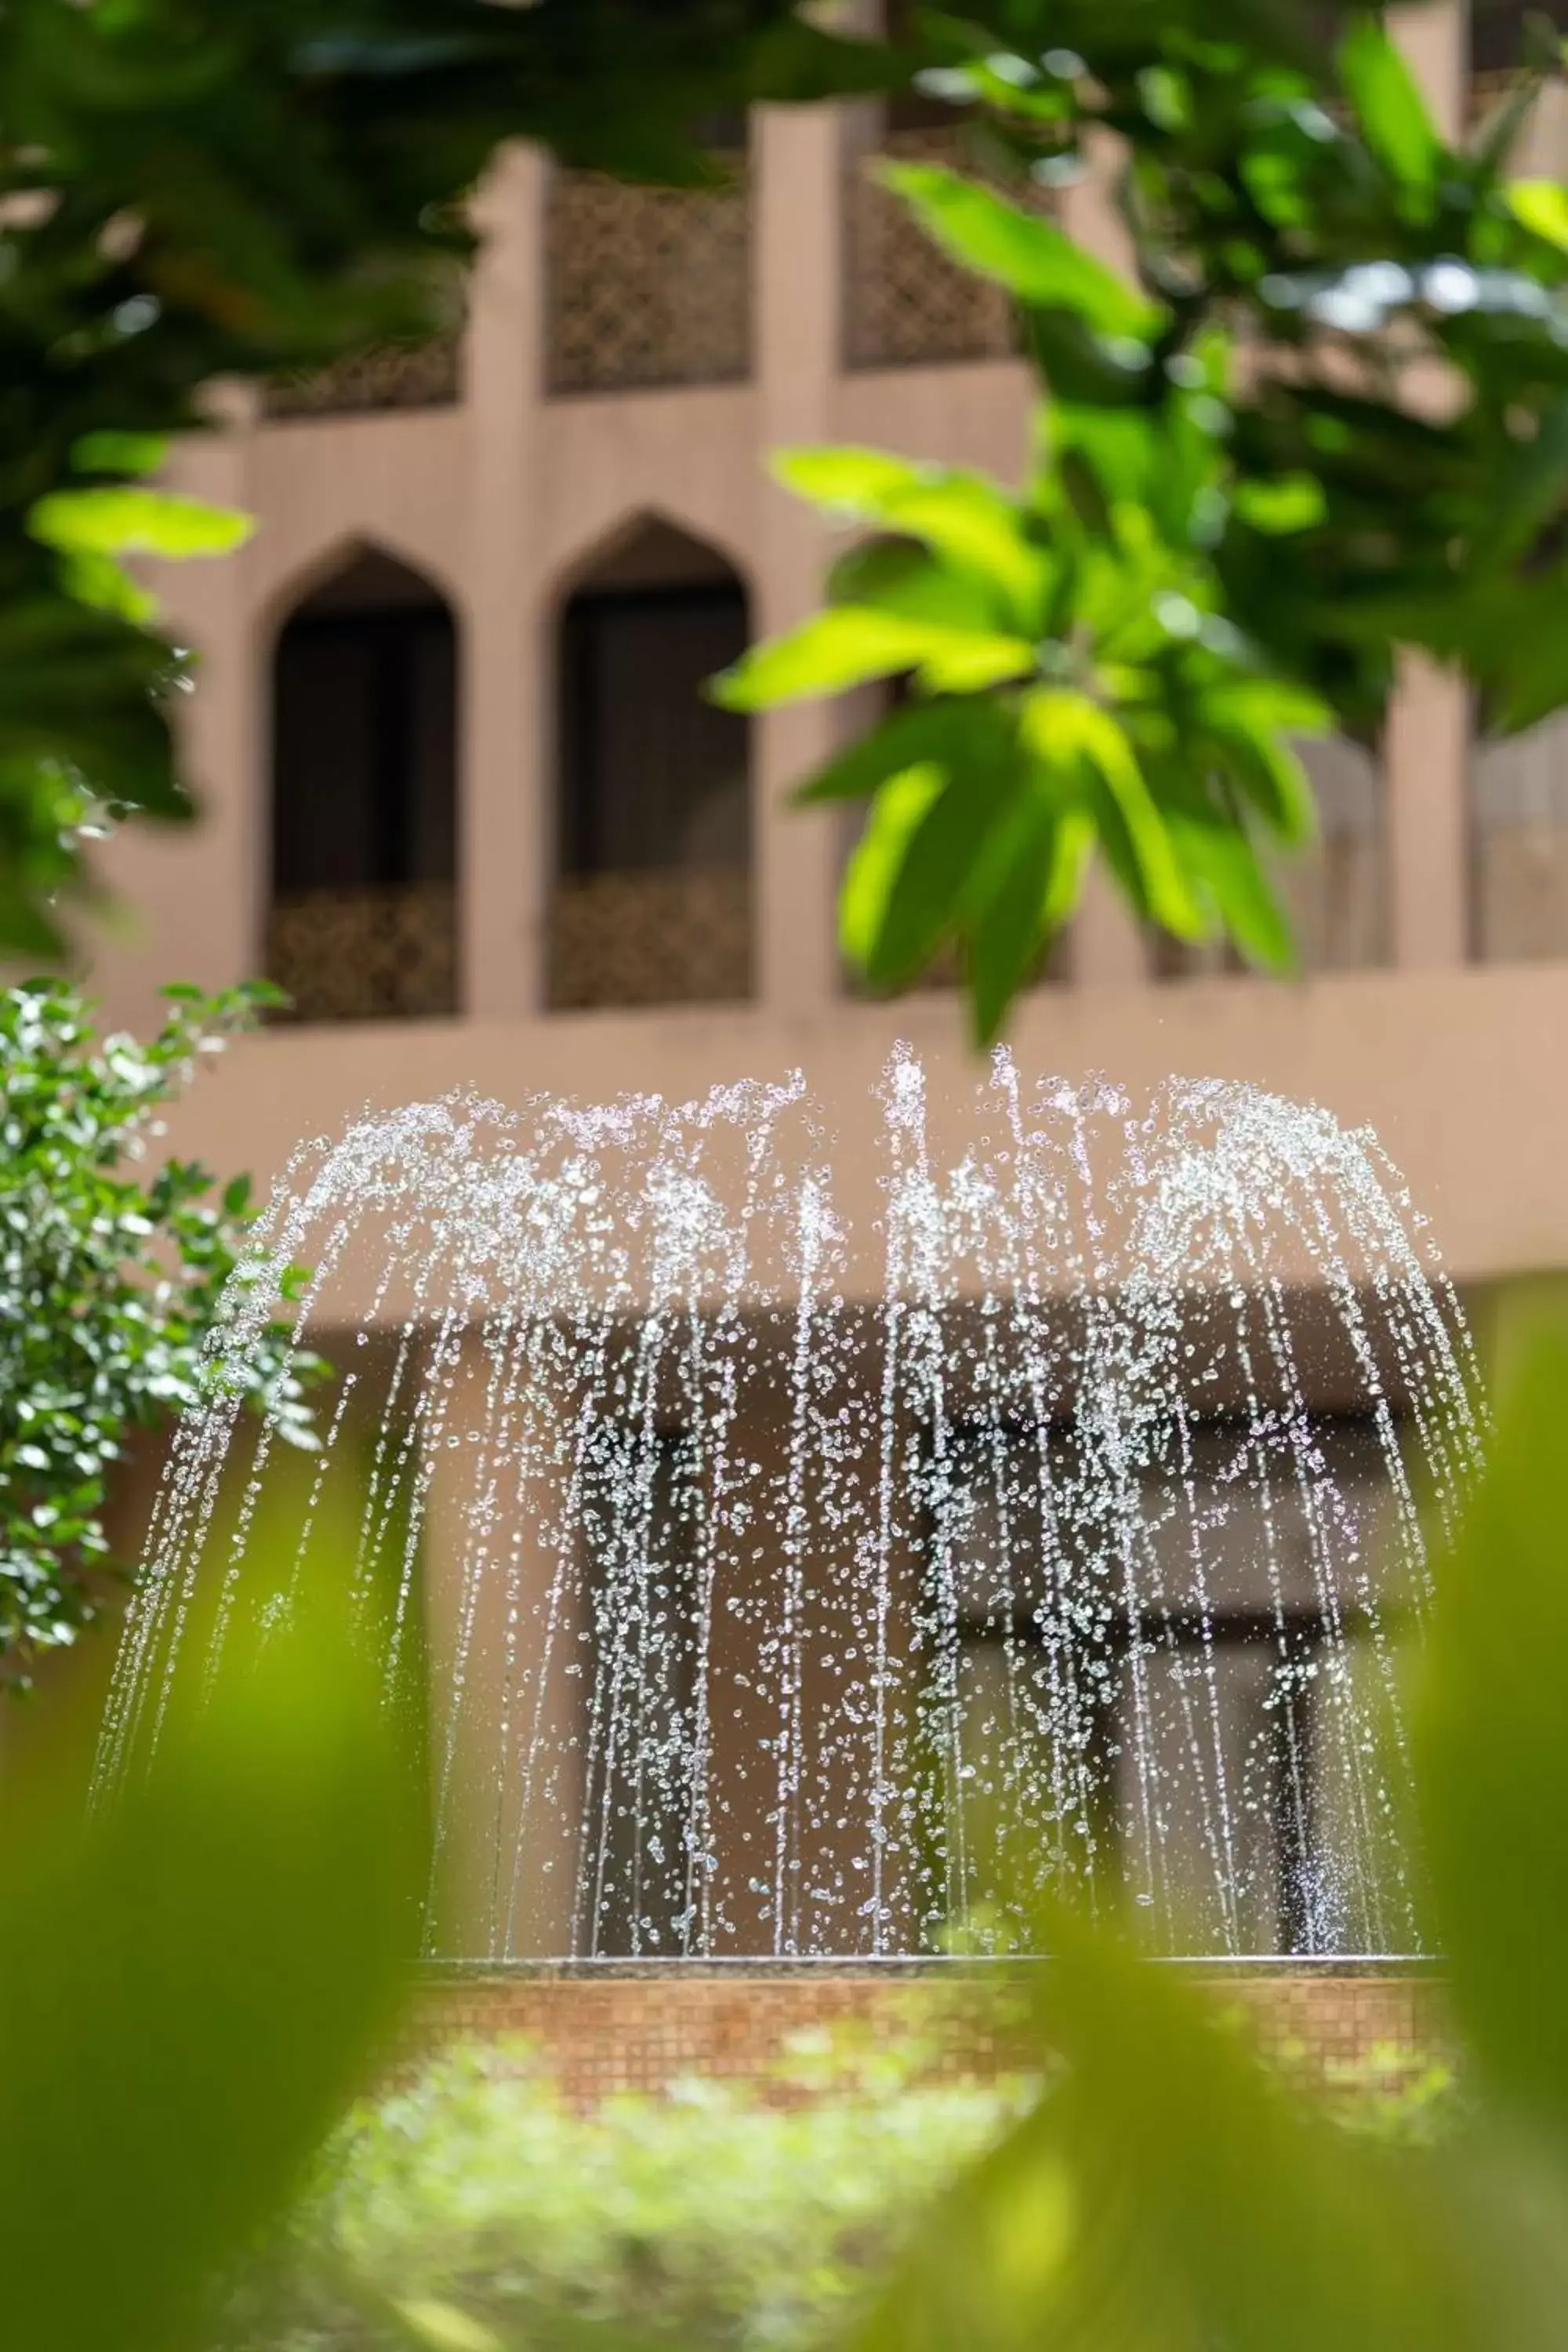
{"type": "Point", "coordinates": [906, 305]}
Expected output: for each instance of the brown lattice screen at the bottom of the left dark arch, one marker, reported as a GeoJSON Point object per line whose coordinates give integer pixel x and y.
{"type": "Point", "coordinates": [368, 954]}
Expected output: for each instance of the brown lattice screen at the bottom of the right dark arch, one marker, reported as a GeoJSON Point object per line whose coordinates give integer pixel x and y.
{"type": "Point", "coordinates": [652, 940]}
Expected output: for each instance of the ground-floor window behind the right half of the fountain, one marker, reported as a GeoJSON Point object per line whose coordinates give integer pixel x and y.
{"type": "Point", "coordinates": [1172, 1650]}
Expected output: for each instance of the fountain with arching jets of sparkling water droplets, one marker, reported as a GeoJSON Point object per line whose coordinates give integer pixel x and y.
{"type": "Point", "coordinates": [831, 1542]}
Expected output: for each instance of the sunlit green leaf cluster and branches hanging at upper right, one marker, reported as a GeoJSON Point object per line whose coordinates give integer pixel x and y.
{"type": "Point", "coordinates": [1329, 420]}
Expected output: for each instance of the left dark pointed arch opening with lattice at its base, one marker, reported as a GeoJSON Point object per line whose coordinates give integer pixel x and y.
{"type": "Point", "coordinates": [363, 810]}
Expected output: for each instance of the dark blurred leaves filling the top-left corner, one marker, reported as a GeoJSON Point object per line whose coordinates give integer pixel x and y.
{"type": "Point", "coordinates": [229, 189]}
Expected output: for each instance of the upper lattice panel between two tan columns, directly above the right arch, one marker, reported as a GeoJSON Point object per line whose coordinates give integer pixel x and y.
{"type": "Point", "coordinates": [648, 286]}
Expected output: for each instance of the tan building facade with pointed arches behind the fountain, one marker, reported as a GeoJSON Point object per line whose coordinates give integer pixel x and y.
{"type": "Point", "coordinates": [462, 799]}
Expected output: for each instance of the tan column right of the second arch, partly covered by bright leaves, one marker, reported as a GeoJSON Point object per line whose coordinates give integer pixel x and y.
{"type": "Point", "coordinates": [798, 359]}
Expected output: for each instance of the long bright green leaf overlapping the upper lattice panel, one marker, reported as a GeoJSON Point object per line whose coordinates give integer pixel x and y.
{"type": "Point", "coordinates": [1021, 250]}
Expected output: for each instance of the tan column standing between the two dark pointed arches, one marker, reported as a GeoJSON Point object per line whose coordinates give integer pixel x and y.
{"type": "Point", "coordinates": [504, 806]}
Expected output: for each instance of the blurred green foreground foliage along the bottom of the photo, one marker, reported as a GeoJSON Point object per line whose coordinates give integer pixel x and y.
{"type": "Point", "coordinates": [1162, 2193]}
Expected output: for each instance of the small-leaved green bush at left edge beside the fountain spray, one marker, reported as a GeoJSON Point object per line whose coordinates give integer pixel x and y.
{"type": "Point", "coordinates": [112, 1281]}
